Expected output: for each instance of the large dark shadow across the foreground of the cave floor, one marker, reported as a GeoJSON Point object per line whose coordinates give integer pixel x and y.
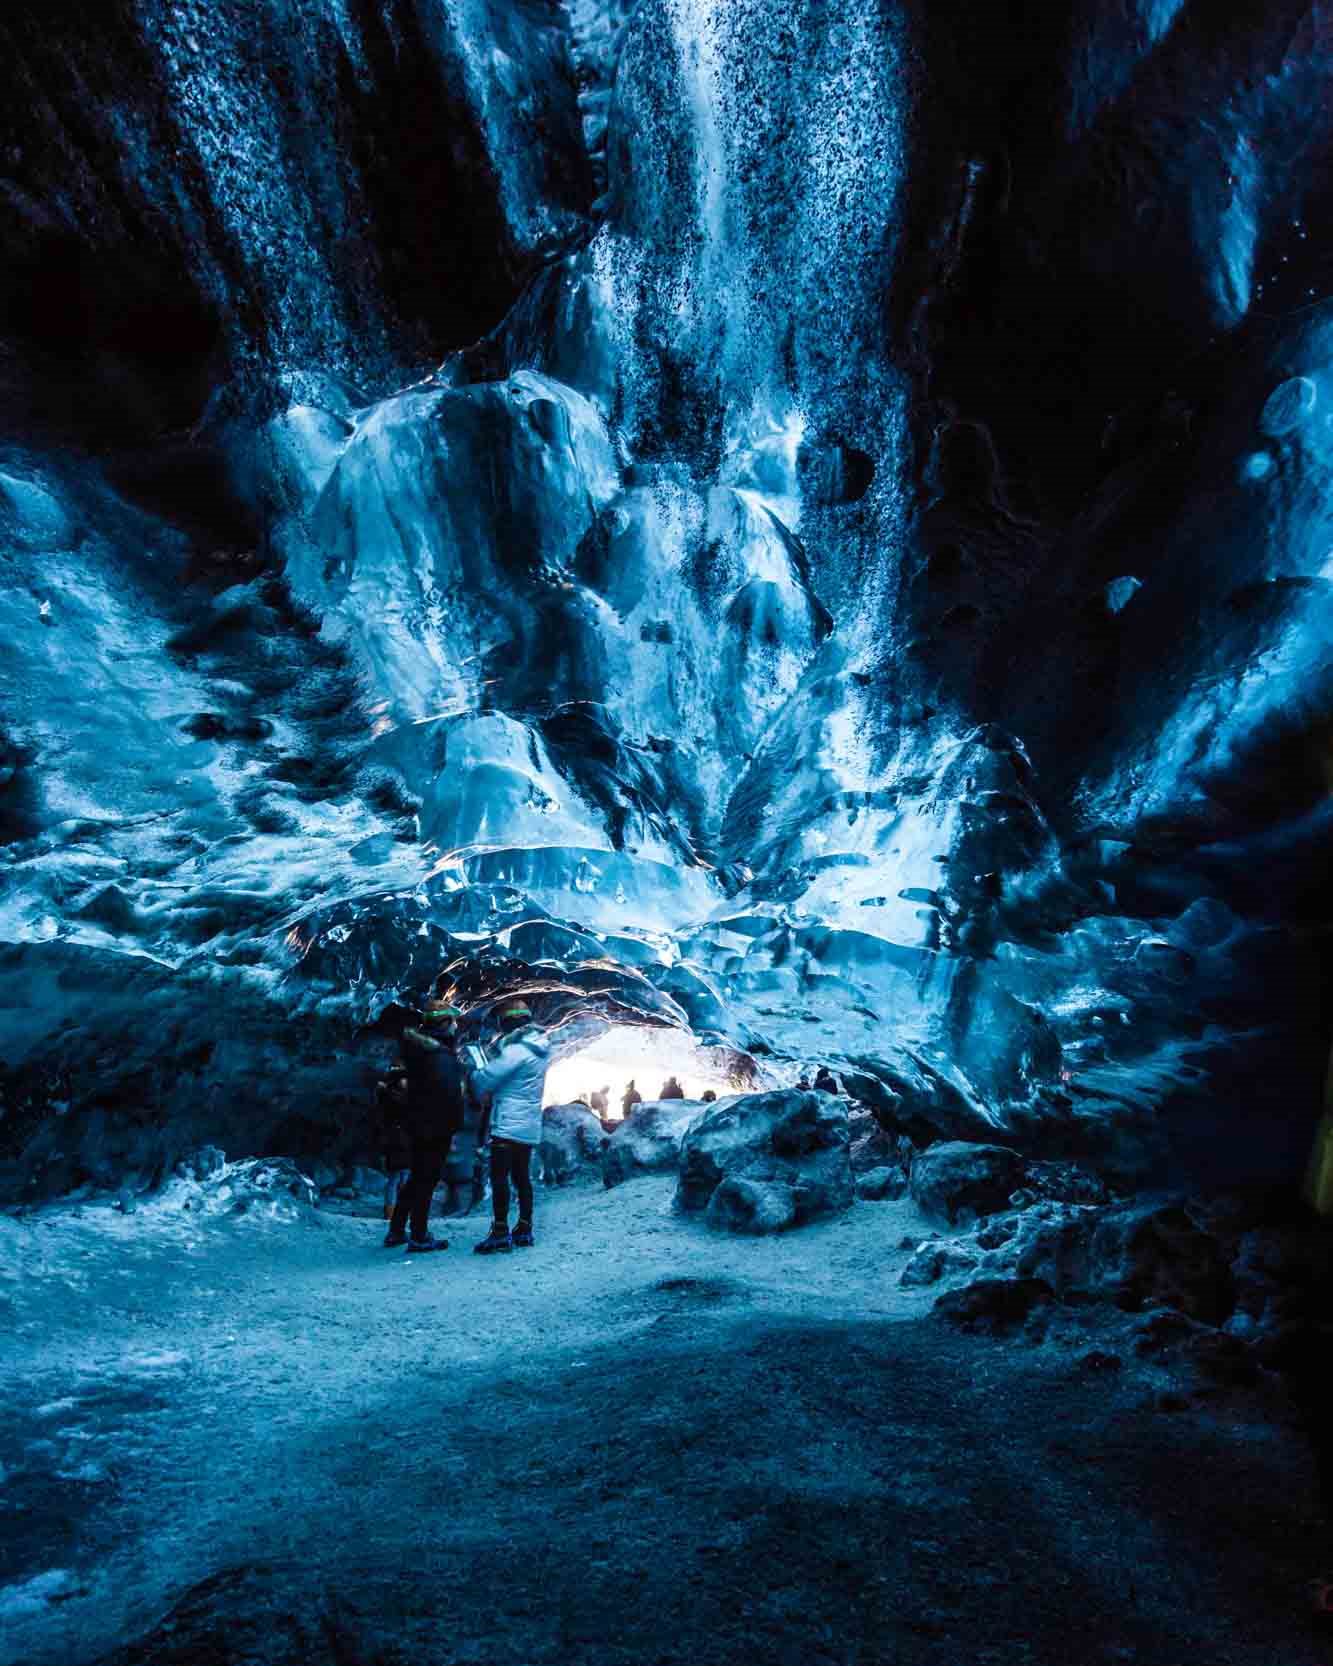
{"type": "Point", "coordinates": [782, 1492]}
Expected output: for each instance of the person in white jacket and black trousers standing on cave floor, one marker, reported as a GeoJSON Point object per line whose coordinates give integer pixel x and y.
{"type": "Point", "coordinates": [514, 1082]}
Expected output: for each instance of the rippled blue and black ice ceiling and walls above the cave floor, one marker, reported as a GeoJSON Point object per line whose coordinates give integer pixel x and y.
{"type": "Point", "coordinates": [809, 522]}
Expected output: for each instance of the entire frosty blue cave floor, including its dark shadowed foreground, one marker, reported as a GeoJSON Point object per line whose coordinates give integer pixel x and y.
{"type": "Point", "coordinates": [639, 1444]}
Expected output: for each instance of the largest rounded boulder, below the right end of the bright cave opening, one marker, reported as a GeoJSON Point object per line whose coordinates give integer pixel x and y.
{"type": "Point", "coordinates": [789, 1149]}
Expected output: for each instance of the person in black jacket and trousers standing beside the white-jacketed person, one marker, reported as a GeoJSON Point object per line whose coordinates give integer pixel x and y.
{"type": "Point", "coordinates": [434, 1114]}
